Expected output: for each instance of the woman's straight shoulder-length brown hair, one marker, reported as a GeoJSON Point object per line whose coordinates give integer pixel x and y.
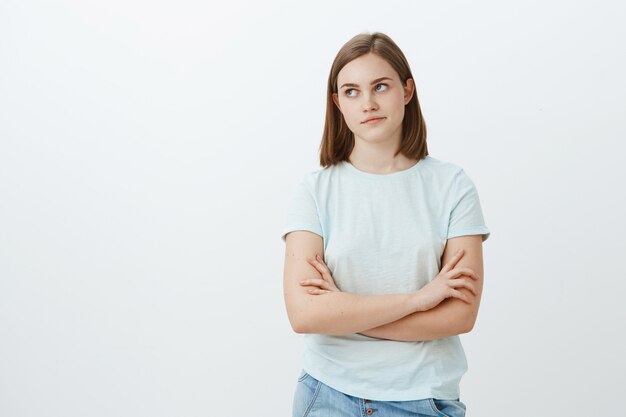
{"type": "Point", "coordinates": [337, 139]}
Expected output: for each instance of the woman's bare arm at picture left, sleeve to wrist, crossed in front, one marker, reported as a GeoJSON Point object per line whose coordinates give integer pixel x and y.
{"type": "Point", "coordinates": [334, 313]}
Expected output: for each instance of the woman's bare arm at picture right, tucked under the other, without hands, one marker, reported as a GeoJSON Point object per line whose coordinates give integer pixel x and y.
{"type": "Point", "coordinates": [452, 316]}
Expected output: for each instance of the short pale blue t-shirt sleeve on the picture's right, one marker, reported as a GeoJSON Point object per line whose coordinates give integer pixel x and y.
{"type": "Point", "coordinates": [466, 216]}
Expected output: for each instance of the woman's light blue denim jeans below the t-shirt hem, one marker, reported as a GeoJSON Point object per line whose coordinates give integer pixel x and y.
{"type": "Point", "coordinates": [316, 399]}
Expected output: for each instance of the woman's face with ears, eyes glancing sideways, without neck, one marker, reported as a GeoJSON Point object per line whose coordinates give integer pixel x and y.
{"type": "Point", "coordinates": [369, 87]}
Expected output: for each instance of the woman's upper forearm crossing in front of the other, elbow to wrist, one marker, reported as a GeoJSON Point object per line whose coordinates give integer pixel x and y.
{"type": "Point", "coordinates": [339, 313]}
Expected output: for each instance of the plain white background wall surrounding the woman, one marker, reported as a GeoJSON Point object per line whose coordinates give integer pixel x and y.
{"type": "Point", "coordinates": [148, 149]}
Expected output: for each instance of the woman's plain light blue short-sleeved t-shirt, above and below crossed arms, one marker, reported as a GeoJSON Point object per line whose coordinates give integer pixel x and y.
{"type": "Point", "coordinates": [385, 234]}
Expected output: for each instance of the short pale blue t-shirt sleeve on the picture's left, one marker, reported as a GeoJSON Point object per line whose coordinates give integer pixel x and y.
{"type": "Point", "coordinates": [302, 213]}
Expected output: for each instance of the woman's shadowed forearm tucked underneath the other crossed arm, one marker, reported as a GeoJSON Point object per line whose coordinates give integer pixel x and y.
{"type": "Point", "coordinates": [447, 319]}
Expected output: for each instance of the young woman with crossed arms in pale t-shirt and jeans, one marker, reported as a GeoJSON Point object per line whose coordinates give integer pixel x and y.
{"type": "Point", "coordinates": [383, 260]}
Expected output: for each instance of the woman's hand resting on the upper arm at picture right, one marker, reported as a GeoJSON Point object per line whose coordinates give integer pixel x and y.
{"type": "Point", "coordinates": [445, 283]}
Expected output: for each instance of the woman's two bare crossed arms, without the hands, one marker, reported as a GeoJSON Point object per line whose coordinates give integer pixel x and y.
{"type": "Point", "coordinates": [389, 316]}
